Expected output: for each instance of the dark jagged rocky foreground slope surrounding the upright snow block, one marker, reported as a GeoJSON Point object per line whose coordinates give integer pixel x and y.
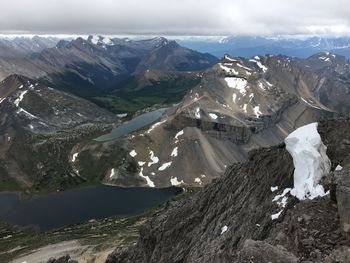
{"type": "Point", "coordinates": [241, 217]}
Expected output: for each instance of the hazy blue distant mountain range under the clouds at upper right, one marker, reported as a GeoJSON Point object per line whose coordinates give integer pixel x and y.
{"type": "Point", "coordinates": [250, 46]}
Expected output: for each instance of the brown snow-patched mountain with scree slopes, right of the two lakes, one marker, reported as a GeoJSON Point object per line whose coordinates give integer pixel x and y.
{"type": "Point", "coordinates": [239, 105]}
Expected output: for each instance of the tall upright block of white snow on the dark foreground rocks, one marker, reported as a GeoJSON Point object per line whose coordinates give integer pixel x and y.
{"type": "Point", "coordinates": [310, 161]}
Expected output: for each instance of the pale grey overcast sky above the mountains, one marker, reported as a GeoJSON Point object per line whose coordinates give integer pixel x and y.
{"type": "Point", "coordinates": [176, 17]}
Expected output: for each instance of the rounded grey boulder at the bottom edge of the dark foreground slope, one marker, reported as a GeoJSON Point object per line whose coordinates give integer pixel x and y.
{"type": "Point", "coordinates": [260, 251]}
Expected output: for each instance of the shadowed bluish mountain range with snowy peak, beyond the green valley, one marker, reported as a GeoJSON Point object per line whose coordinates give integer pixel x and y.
{"type": "Point", "coordinates": [85, 67]}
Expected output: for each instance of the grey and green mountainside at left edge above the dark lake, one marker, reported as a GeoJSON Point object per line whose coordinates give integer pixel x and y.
{"type": "Point", "coordinates": [38, 128]}
